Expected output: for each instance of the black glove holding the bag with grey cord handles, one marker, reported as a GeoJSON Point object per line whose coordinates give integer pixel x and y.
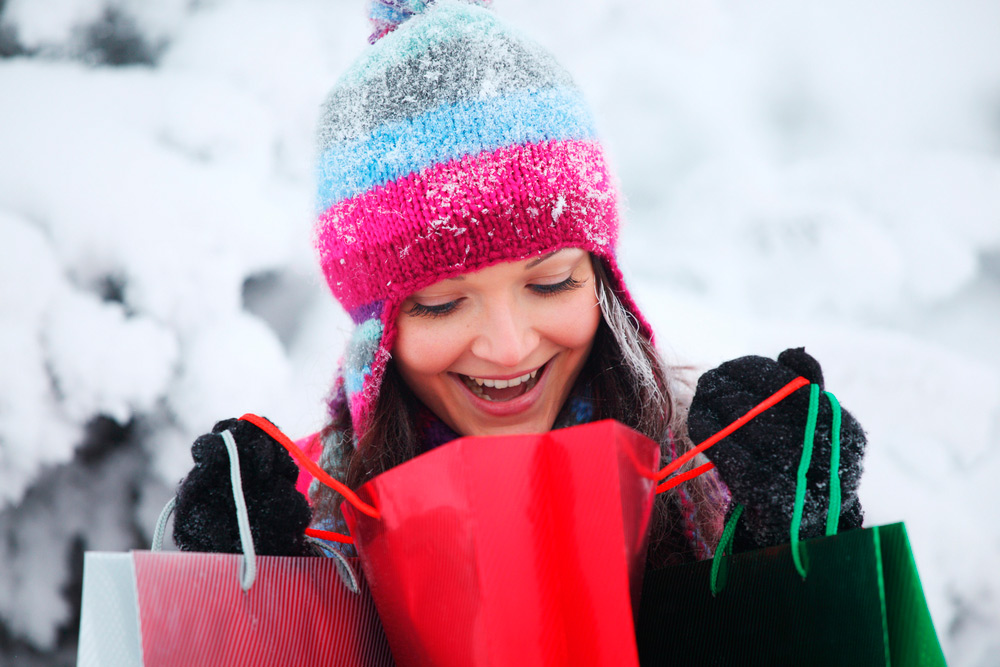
{"type": "Point", "coordinates": [205, 514]}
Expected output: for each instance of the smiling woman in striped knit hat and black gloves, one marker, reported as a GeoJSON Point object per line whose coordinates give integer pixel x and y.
{"type": "Point", "coordinates": [468, 223]}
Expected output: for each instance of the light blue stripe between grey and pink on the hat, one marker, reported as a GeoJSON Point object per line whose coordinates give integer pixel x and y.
{"type": "Point", "coordinates": [450, 132]}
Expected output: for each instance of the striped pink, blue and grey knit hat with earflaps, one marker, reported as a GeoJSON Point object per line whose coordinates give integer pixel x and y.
{"type": "Point", "coordinates": [452, 144]}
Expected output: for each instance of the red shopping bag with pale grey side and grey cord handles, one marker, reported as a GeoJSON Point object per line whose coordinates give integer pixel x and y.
{"type": "Point", "coordinates": [184, 608]}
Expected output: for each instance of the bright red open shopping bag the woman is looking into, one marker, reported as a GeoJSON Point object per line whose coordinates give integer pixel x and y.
{"type": "Point", "coordinates": [522, 549]}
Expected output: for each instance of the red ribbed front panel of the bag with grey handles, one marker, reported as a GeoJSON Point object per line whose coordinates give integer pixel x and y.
{"type": "Point", "coordinates": [298, 612]}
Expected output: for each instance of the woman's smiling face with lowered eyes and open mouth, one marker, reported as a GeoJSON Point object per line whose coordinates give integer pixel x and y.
{"type": "Point", "coordinates": [497, 351]}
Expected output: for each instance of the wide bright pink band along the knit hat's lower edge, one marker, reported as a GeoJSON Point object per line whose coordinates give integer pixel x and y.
{"type": "Point", "coordinates": [464, 215]}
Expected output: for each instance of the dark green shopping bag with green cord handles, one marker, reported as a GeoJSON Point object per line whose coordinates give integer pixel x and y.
{"type": "Point", "coordinates": [852, 598]}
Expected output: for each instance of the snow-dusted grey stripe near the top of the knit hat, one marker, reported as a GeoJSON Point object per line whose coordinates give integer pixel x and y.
{"type": "Point", "coordinates": [461, 69]}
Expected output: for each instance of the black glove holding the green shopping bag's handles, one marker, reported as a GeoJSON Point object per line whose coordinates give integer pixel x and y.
{"type": "Point", "coordinates": [759, 462]}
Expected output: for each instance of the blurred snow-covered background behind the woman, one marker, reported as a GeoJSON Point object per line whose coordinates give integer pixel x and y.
{"type": "Point", "coordinates": [797, 173]}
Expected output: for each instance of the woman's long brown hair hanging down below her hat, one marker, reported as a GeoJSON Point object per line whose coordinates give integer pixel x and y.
{"type": "Point", "coordinates": [628, 382]}
